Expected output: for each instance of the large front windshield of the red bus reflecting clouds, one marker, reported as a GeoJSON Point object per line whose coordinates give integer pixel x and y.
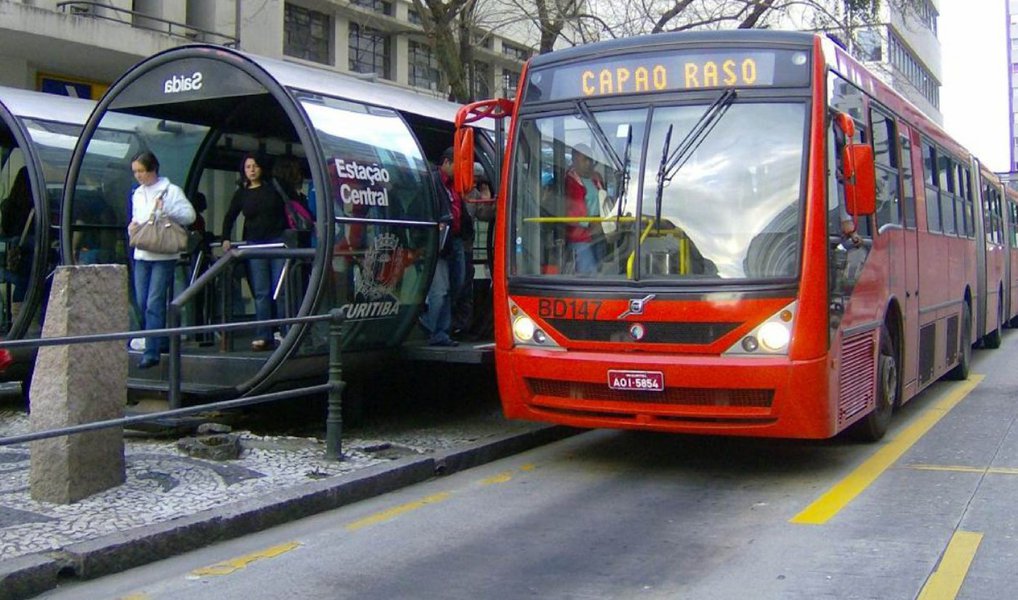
{"type": "Point", "coordinates": [587, 203]}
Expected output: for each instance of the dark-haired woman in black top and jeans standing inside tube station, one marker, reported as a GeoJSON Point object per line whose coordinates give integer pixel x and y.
{"type": "Point", "coordinates": [265, 221]}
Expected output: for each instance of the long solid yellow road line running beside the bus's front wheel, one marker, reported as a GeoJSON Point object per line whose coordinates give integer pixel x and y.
{"type": "Point", "coordinates": [825, 508]}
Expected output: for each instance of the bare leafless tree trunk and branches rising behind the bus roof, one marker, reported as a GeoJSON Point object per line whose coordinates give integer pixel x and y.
{"type": "Point", "coordinates": [454, 26]}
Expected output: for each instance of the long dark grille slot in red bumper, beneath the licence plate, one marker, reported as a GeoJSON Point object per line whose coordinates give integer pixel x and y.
{"type": "Point", "coordinates": [758, 399]}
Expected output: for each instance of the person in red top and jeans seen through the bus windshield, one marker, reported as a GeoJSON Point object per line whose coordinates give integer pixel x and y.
{"type": "Point", "coordinates": [584, 188]}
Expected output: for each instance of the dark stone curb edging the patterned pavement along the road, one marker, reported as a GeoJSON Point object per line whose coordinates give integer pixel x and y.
{"type": "Point", "coordinates": [32, 575]}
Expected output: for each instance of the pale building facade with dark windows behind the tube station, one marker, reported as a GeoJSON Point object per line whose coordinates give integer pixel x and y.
{"type": "Point", "coordinates": [80, 48]}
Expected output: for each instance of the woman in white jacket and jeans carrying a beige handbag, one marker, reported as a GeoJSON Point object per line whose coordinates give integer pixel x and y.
{"type": "Point", "coordinates": [154, 199]}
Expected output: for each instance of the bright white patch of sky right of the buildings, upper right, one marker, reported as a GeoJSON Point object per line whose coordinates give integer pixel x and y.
{"type": "Point", "coordinates": [975, 93]}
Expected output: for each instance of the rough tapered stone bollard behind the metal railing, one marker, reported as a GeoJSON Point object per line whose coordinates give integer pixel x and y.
{"type": "Point", "coordinates": [81, 384]}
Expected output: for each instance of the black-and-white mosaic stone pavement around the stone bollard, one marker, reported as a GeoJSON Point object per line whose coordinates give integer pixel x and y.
{"type": "Point", "coordinates": [164, 483]}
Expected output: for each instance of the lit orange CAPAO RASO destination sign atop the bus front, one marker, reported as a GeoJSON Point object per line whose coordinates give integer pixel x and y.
{"type": "Point", "coordinates": [670, 73]}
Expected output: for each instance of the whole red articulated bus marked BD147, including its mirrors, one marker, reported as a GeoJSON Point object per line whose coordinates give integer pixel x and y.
{"type": "Point", "coordinates": [738, 233]}
